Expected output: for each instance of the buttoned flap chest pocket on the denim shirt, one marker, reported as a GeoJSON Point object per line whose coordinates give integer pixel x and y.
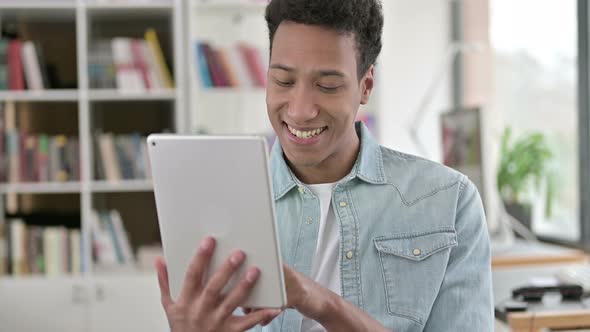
{"type": "Point", "coordinates": [413, 267]}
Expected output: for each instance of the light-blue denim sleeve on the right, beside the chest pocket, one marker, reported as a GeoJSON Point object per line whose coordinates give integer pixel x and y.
{"type": "Point", "coordinates": [465, 301]}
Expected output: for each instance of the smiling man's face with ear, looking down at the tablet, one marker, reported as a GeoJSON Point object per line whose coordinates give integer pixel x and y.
{"type": "Point", "coordinates": [314, 93]}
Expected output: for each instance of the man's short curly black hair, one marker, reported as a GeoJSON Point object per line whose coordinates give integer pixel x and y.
{"type": "Point", "coordinates": [363, 18]}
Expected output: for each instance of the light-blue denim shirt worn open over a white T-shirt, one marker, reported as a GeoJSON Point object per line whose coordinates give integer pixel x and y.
{"type": "Point", "coordinates": [414, 247]}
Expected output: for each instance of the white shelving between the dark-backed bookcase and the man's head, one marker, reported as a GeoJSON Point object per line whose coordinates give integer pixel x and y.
{"type": "Point", "coordinates": [223, 25]}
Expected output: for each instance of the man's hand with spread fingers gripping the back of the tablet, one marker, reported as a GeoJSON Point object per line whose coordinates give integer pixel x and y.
{"type": "Point", "coordinates": [202, 307]}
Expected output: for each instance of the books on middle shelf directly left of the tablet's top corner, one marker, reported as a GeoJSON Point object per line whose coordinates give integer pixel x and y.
{"type": "Point", "coordinates": [121, 157]}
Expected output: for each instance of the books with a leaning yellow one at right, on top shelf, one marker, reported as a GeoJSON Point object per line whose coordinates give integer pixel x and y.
{"type": "Point", "coordinates": [129, 64]}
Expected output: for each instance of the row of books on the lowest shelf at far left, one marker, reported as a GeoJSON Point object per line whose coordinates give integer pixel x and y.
{"type": "Point", "coordinates": [37, 250]}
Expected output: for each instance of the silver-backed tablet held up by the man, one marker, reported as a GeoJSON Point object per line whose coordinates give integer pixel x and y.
{"type": "Point", "coordinates": [217, 186]}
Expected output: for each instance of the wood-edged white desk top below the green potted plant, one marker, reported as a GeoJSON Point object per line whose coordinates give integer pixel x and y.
{"type": "Point", "coordinates": [523, 252]}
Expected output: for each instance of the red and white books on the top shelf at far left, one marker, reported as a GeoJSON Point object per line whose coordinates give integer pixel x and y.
{"type": "Point", "coordinates": [22, 65]}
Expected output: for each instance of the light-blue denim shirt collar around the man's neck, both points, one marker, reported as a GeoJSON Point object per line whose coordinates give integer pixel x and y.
{"type": "Point", "coordinates": [367, 167]}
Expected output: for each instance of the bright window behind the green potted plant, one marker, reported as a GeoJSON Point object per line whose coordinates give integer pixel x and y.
{"type": "Point", "coordinates": [534, 89]}
